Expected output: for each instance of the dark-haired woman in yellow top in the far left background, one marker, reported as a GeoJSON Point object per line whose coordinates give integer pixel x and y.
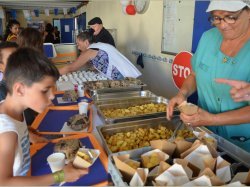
{"type": "Point", "coordinates": [12, 31]}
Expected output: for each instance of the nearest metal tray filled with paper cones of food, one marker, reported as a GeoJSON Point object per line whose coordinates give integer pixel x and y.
{"type": "Point", "coordinates": [196, 166]}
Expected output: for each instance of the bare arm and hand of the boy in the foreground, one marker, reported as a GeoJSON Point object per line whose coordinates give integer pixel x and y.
{"type": "Point", "coordinates": [7, 157]}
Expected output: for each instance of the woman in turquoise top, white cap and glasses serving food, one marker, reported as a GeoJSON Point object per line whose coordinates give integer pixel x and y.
{"type": "Point", "coordinates": [223, 52]}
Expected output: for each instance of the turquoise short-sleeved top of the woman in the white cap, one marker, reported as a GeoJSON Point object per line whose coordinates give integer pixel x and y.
{"type": "Point", "coordinates": [210, 63]}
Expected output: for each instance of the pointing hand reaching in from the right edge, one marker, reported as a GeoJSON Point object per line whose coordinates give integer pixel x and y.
{"type": "Point", "coordinates": [240, 90]}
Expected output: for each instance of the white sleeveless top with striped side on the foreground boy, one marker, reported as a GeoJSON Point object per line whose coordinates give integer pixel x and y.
{"type": "Point", "coordinates": [22, 155]}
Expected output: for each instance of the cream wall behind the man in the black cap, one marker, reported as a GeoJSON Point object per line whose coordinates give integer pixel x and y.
{"type": "Point", "coordinates": [142, 33]}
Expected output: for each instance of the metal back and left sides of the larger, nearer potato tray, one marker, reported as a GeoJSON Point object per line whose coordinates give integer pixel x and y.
{"type": "Point", "coordinates": [130, 126]}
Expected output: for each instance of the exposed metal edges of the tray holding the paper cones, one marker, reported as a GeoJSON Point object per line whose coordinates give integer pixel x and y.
{"type": "Point", "coordinates": [238, 158]}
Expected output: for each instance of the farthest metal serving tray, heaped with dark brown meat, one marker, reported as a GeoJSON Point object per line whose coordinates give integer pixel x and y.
{"type": "Point", "coordinates": [107, 86]}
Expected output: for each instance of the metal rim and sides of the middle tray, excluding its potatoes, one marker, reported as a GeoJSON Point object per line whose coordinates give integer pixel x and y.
{"type": "Point", "coordinates": [125, 103]}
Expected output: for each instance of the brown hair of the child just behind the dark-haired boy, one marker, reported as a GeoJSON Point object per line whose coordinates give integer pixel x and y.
{"type": "Point", "coordinates": [30, 37]}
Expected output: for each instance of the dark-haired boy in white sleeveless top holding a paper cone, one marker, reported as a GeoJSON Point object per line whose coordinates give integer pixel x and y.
{"type": "Point", "coordinates": [30, 78]}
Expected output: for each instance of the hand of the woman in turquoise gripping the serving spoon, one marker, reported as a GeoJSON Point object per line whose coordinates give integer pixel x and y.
{"type": "Point", "coordinates": [175, 101]}
